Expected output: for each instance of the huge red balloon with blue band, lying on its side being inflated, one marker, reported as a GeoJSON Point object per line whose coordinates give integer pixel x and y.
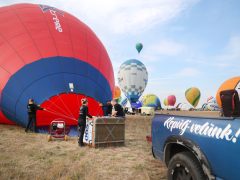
{"type": "Point", "coordinates": [54, 58]}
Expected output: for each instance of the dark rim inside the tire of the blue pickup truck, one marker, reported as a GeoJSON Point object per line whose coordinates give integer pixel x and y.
{"type": "Point", "coordinates": [181, 172]}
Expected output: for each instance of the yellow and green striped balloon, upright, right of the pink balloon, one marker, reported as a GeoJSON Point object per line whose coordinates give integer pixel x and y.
{"type": "Point", "coordinates": [193, 96]}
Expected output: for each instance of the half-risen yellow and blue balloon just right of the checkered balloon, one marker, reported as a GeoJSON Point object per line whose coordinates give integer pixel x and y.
{"type": "Point", "coordinates": [151, 100]}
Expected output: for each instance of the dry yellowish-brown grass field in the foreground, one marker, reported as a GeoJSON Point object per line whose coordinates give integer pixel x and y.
{"type": "Point", "coordinates": [30, 156]}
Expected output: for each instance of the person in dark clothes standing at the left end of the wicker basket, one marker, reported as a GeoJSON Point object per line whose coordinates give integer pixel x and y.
{"type": "Point", "coordinates": [82, 120]}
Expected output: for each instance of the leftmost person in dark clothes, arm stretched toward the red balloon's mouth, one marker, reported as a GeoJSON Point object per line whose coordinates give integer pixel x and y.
{"type": "Point", "coordinates": [32, 110]}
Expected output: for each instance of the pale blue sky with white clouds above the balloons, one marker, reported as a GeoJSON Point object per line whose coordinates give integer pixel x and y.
{"type": "Point", "coordinates": [186, 42]}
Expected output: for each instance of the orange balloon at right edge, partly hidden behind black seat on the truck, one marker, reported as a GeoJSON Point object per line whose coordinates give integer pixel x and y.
{"type": "Point", "coordinates": [233, 83]}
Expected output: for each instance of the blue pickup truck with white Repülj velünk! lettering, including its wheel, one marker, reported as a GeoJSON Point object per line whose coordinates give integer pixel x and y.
{"type": "Point", "coordinates": [196, 146]}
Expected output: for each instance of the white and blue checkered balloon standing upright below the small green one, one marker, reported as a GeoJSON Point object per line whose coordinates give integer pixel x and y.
{"type": "Point", "coordinates": [132, 79]}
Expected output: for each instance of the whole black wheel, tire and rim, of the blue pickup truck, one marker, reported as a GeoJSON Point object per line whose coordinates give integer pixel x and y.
{"type": "Point", "coordinates": [184, 166]}
